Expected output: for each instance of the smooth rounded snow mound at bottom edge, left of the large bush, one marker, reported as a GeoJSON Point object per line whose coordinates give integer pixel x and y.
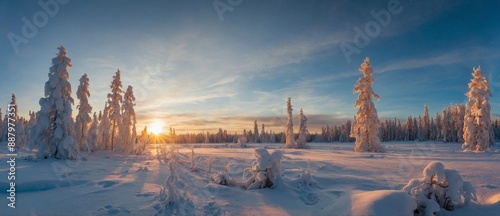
{"type": "Point", "coordinates": [383, 202]}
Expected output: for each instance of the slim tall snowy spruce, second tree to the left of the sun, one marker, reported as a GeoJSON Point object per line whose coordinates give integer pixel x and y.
{"type": "Point", "coordinates": [115, 99]}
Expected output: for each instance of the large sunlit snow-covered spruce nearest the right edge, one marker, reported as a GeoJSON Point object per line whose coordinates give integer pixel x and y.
{"type": "Point", "coordinates": [477, 121]}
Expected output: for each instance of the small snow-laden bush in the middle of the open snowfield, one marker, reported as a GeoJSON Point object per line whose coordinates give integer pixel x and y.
{"type": "Point", "coordinates": [265, 171]}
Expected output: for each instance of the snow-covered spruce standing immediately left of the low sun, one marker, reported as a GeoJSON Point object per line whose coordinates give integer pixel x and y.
{"type": "Point", "coordinates": [127, 130]}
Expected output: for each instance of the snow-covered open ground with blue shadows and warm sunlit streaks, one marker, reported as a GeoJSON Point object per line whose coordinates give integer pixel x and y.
{"type": "Point", "coordinates": [339, 181]}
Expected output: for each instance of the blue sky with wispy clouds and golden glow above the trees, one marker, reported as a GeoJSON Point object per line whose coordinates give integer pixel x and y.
{"type": "Point", "coordinates": [196, 72]}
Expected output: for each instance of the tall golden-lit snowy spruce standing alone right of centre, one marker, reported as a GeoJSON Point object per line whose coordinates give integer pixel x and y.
{"type": "Point", "coordinates": [366, 127]}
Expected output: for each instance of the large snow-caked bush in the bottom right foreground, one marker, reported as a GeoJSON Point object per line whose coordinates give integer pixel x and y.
{"type": "Point", "coordinates": [439, 187]}
